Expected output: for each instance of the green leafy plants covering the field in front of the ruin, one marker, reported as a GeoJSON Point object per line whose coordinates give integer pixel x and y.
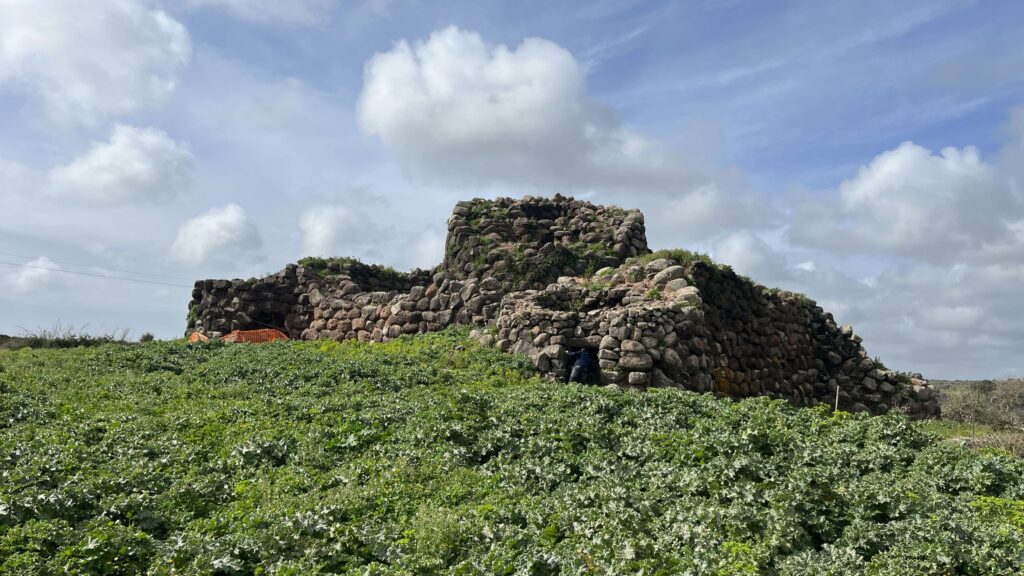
{"type": "Point", "coordinates": [431, 456]}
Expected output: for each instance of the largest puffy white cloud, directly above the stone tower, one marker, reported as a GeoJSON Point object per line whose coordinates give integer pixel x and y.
{"type": "Point", "coordinates": [457, 110]}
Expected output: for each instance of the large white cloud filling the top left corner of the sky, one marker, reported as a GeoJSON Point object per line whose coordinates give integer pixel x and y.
{"type": "Point", "coordinates": [90, 61]}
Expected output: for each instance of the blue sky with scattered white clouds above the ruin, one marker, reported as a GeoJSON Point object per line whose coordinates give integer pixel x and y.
{"type": "Point", "coordinates": [870, 154]}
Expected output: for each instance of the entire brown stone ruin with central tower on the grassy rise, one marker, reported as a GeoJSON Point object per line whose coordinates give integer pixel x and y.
{"type": "Point", "coordinates": [542, 277]}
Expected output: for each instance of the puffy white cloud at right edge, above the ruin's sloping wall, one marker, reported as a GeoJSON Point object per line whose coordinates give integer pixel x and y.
{"type": "Point", "coordinates": [912, 202]}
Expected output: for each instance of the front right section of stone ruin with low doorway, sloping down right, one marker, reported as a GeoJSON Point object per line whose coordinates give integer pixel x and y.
{"type": "Point", "coordinates": [686, 323]}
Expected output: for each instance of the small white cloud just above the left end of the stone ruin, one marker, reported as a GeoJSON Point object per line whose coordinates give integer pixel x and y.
{"type": "Point", "coordinates": [225, 235]}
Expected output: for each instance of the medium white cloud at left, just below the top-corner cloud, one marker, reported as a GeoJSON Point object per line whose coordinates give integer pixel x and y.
{"type": "Point", "coordinates": [138, 164]}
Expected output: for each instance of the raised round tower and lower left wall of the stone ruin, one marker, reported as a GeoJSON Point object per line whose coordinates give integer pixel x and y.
{"type": "Point", "coordinates": [494, 248]}
